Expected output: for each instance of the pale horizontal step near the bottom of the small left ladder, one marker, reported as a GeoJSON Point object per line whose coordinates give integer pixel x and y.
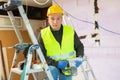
{"type": "Point", "coordinates": [18, 71]}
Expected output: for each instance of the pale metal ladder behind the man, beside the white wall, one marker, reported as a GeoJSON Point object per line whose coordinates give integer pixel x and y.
{"type": "Point", "coordinates": [86, 68]}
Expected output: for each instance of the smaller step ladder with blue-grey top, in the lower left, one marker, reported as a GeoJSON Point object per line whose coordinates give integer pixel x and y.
{"type": "Point", "coordinates": [27, 66]}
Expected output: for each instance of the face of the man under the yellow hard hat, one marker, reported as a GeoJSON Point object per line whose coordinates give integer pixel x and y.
{"type": "Point", "coordinates": [55, 21]}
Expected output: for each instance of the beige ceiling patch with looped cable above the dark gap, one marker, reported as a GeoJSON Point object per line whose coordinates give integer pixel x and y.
{"type": "Point", "coordinates": [35, 3]}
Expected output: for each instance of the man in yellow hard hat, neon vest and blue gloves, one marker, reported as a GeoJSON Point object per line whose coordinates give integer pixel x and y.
{"type": "Point", "coordinates": [58, 43]}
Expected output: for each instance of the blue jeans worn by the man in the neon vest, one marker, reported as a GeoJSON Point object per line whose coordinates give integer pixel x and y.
{"type": "Point", "coordinates": [57, 75]}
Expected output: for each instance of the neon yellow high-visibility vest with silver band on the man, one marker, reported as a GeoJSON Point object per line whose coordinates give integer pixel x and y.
{"type": "Point", "coordinates": [53, 48]}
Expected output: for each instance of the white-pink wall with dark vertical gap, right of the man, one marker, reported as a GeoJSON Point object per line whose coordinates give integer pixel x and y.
{"type": "Point", "coordinates": [105, 58]}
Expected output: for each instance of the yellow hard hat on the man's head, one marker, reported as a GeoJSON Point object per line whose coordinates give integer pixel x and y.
{"type": "Point", "coordinates": [54, 9]}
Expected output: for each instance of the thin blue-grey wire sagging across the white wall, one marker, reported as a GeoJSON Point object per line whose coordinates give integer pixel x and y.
{"type": "Point", "coordinates": [110, 31]}
